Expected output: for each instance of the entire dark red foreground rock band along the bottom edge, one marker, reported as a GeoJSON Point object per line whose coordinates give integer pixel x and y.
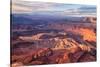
{"type": "Point", "coordinates": [49, 56]}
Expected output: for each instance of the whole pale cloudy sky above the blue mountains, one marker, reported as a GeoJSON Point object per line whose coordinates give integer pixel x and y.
{"type": "Point", "coordinates": [62, 6]}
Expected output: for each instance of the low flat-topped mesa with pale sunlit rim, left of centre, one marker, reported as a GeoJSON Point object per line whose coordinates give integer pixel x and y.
{"type": "Point", "coordinates": [42, 36]}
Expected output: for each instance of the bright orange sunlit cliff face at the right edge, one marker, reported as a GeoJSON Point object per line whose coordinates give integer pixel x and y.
{"type": "Point", "coordinates": [86, 33]}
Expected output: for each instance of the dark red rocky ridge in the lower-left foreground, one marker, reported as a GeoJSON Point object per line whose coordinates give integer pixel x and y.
{"type": "Point", "coordinates": [32, 56]}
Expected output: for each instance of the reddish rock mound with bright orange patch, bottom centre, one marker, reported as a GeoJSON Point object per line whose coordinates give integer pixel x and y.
{"type": "Point", "coordinates": [59, 56]}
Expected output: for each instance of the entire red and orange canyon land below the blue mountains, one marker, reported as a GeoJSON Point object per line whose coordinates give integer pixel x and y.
{"type": "Point", "coordinates": [54, 43]}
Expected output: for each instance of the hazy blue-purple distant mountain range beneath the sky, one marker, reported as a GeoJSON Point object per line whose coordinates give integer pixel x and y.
{"type": "Point", "coordinates": [38, 19]}
